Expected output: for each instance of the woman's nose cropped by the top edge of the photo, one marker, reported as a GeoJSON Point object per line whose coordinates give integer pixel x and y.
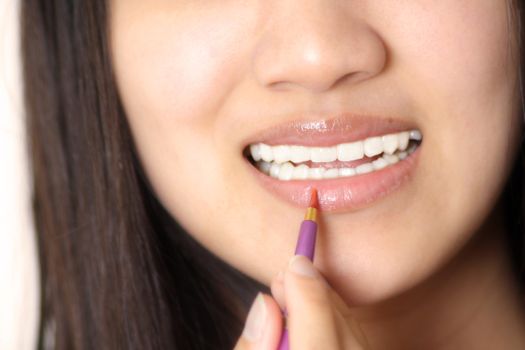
{"type": "Point", "coordinates": [315, 45]}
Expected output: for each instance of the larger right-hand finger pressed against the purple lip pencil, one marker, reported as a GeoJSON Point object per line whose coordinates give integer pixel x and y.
{"type": "Point", "coordinates": [313, 322]}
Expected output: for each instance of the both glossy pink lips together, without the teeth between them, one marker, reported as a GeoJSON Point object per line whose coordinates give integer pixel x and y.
{"type": "Point", "coordinates": [339, 194]}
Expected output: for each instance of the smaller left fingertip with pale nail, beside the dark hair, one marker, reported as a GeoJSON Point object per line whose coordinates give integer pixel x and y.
{"type": "Point", "coordinates": [263, 327]}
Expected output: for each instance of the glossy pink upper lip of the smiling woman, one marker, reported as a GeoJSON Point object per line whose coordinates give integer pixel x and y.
{"type": "Point", "coordinates": [330, 131]}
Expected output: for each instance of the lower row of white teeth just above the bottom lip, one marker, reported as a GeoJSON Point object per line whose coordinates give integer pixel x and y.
{"type": "Point", "coordinates": [287, 171]}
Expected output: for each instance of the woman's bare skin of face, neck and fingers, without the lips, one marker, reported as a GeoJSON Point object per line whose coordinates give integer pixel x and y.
{"type": "Point", "coordinates": [199, 78]}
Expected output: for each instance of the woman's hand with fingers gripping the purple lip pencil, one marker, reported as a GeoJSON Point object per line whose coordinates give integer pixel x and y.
{"type": "Point", "coordinates": [317, 317]}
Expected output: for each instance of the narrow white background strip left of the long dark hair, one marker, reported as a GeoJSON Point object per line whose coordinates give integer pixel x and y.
{"type": "Point", "coordinates": [19, 280]}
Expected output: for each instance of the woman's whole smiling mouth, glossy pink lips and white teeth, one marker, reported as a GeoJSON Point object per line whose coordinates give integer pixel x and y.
{"type": "Point", "coordinates": [351, 161]}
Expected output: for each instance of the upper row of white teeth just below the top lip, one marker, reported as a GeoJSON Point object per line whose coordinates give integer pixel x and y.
{"type": "Point", "coordinates": [345, 152]}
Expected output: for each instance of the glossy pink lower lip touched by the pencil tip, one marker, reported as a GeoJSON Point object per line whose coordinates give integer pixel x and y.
{"type": "Point", "coordinates": [346, 193]}
